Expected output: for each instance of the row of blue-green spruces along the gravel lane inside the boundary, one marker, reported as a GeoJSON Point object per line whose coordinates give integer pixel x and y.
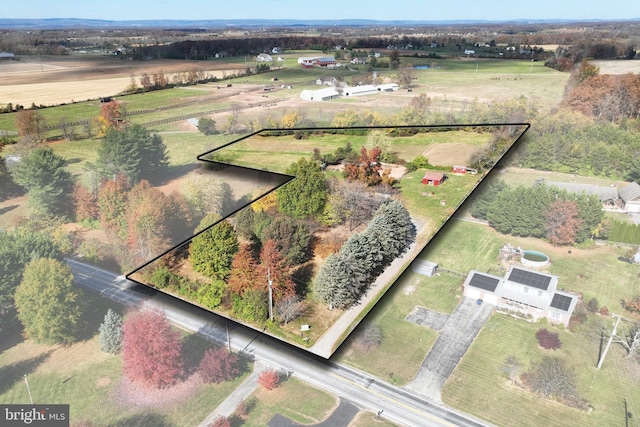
{"type": "Point", "coordinates": [346, 276]}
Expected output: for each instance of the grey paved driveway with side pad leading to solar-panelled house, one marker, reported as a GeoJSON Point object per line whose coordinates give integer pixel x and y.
{"type": "Point", "coordinates": [456, 335]}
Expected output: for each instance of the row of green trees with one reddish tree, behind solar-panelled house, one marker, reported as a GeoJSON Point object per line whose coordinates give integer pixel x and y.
{"type": "Point", "coordinates": [540, 211]}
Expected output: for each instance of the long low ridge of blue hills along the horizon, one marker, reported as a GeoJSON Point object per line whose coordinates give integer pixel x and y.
{"type": "Point", "coordinates": [69, 23]}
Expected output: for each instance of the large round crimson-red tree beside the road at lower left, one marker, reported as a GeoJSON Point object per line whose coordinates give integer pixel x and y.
{"type": "Point", "coordinates": [152, 350]}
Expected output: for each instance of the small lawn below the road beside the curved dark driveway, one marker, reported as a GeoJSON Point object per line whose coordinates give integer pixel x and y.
{"type": "Point", "coordinates": [293, 399]}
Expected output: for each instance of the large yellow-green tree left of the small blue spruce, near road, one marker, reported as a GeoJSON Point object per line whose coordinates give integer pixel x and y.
{"type": "Point", "coordinates": [48, 303]}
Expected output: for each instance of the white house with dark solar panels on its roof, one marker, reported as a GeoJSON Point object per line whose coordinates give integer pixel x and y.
{"type": "Point", "coordinates": [531, 293]}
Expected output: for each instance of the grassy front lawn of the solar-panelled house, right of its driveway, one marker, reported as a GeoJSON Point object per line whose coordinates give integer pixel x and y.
{"type": "Point", "coordinates": [478, 387]}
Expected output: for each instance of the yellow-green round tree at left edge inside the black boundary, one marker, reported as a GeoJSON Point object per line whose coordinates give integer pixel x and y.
{"type": "Point", "coordinates": [212, 251]}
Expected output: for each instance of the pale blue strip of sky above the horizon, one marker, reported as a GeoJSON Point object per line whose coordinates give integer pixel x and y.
{"type": "Point", "coordinates": [426, 10]}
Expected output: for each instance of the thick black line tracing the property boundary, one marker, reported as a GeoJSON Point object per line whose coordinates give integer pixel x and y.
{"type": "Point", "coordinates": [202, 157]}
